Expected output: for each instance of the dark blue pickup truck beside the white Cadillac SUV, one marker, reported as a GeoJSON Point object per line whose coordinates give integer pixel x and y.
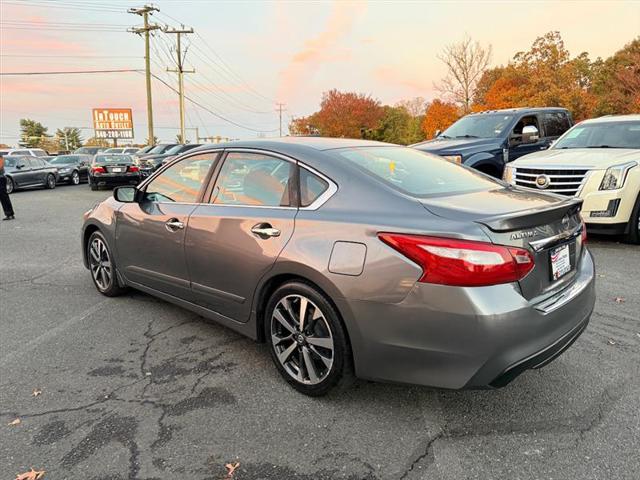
{"type": "Point", "coordinates": [488, 140]}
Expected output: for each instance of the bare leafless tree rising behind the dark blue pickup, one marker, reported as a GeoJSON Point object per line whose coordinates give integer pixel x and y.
{"type": "Point", "coordinates": [466, 62]}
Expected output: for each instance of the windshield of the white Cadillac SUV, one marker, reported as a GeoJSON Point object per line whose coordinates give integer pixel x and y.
{"type": "Point", "coordinates": [601, 135]}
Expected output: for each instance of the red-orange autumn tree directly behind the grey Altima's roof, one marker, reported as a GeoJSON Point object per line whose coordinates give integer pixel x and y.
{"type": "Point", "coordinates": [347, 114]}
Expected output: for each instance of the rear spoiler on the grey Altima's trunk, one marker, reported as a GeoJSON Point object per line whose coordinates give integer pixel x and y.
{"type": "Point", "coordinates": [533, 217]}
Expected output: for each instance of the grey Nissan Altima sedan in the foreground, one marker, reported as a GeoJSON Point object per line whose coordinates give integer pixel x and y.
{"type": "Point", "coordinates": [354, 258]}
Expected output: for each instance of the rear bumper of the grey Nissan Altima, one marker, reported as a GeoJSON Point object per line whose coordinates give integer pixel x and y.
{"type": "Point", "coordinates": [467, 337]}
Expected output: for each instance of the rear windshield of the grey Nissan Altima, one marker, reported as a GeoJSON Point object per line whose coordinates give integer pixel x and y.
{"type": "Point", "coordinates": [416, 173]}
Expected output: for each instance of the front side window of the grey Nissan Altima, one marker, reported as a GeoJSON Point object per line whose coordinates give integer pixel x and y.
{"type": "Point", "coordinates": [182, 181]}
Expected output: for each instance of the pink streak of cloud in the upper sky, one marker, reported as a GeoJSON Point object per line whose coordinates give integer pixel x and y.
{"type": "Point", "coordinates": [323, 48]}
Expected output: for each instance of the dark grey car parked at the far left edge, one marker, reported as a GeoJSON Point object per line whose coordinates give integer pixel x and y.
{"type": "Point", "coordinates": [24, 171]}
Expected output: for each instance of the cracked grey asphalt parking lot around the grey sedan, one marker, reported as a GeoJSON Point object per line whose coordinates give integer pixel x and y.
{"type": "Point", "coordinates": [135, 388]}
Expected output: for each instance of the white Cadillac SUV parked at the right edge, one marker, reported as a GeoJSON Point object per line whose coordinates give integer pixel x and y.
{"type": "Point", "coordinates": [598, 161]}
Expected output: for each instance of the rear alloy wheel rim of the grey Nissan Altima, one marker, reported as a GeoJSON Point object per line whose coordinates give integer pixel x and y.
{"type": "Point", "coordinates": [302, 339]}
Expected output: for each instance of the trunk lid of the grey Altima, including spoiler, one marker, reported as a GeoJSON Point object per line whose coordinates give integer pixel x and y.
{"type": "Point", "coordinates": [541, 223]}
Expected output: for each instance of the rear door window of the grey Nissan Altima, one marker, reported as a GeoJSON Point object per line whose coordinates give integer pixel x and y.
{"type": "Point", "coordinates": [253, 179]}
